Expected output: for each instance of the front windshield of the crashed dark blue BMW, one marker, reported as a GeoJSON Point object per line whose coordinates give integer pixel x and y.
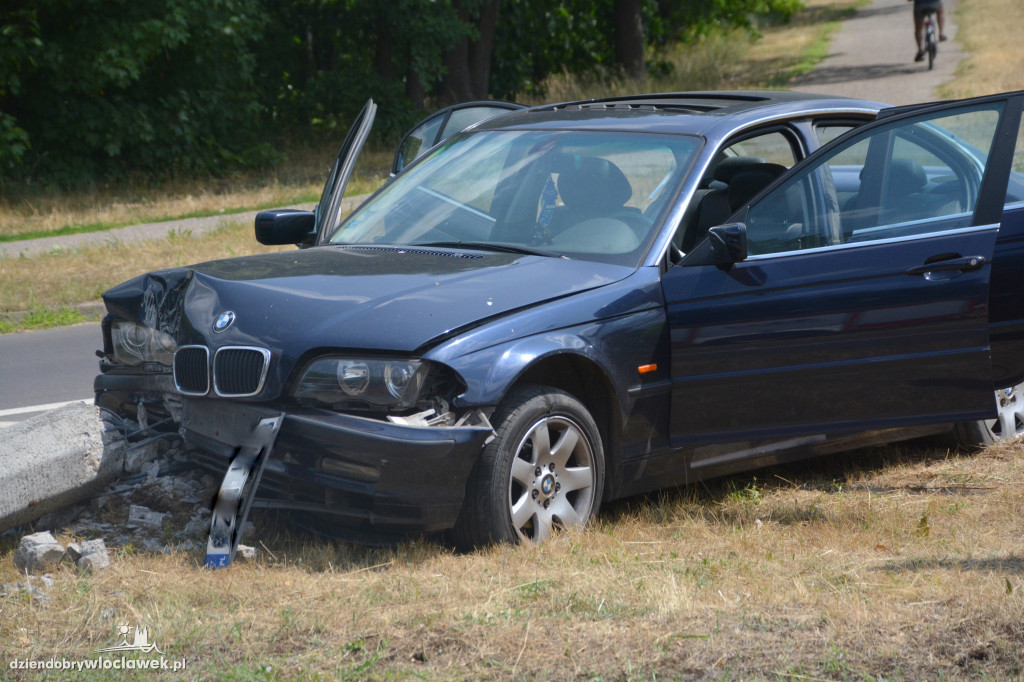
{"type": "Point", "coordinates": [587, 195]}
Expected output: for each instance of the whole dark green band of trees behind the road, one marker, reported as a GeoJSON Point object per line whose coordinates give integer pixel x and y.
{"type": "Point", "coordinates": [94, 87]}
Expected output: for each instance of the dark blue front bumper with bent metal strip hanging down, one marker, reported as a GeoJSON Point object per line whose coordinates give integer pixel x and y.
{"type": "Point", "coordinates": [370, 477]}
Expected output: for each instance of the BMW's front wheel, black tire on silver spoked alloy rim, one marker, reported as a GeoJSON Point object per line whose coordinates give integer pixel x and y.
{"type": "Point", "coordinates": [523, 488]}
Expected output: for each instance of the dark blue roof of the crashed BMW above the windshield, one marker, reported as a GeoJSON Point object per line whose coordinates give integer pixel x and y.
{"type": "Point", "coordinates": [708, 114]}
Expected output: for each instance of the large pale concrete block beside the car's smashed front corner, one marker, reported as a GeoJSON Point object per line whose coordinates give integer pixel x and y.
{"type": "Point", "coordinates": [54, 460]}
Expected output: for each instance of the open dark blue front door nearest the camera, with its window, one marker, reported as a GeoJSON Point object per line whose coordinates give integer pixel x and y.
{"type": "Point", "coordinates": [858, 308]}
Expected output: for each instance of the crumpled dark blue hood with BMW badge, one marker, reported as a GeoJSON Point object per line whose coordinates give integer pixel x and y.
{"type": "Point", "coordinates": [358, 297]}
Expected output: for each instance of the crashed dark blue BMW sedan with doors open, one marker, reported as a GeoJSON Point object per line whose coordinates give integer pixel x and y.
{"type": "Point", "coordinates": [573, 304]}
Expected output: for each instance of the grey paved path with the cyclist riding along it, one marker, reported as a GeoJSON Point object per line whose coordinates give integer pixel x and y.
{"type": "Point", "coordinates": [872, 58]}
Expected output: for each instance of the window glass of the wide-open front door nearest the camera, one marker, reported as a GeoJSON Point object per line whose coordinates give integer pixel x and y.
{"type": "Point", "coordinates": [913, 178]}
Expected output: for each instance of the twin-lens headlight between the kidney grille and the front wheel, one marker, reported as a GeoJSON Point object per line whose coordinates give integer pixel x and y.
{"type": "Point", "coordinates": [392, 383]}
